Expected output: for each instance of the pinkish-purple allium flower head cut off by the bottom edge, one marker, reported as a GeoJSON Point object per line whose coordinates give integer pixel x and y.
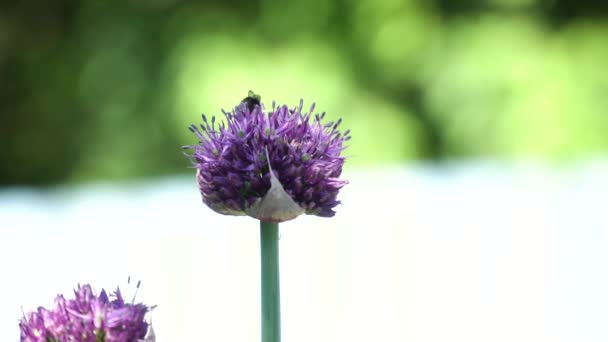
{"type": "Point", "coordinates": [87, 318]}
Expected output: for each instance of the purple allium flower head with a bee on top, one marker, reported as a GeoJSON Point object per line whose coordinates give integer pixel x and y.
{"type": "Point", "coordinates": [271, 166]}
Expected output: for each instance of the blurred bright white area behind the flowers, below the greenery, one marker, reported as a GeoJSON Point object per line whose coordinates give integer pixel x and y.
{"type": "Point", "coordinates": [468, 252]}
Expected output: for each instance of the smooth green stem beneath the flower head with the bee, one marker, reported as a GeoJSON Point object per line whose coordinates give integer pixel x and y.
{"type": "Point", "coordinates": [271, 294]}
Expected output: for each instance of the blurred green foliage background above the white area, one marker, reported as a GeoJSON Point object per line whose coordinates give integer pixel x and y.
{"type": "Point", "coordinates": [104, 90]}
